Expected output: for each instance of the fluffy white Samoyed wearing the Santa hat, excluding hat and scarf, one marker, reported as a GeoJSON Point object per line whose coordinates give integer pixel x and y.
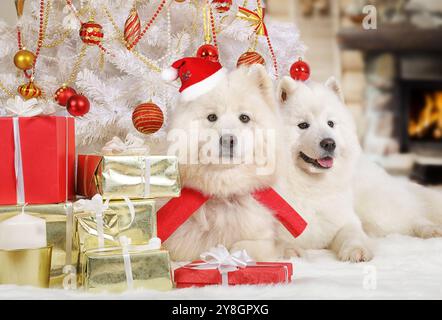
{"type": "Point", "coordinates": [227, 121]}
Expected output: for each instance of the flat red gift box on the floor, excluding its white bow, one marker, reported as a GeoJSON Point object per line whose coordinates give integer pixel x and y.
{"type": "Point", "coordinates": [259, 273]}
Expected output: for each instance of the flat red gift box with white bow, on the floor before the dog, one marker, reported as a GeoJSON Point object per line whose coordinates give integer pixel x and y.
{"type": "Point", "coordinates": [219, 267]}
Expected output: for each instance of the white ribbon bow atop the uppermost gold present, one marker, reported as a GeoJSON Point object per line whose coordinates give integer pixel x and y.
{"type": "Point", "coordinates": [132, 145]}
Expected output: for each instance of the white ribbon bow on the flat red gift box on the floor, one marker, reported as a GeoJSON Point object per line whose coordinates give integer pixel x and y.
{"type": "Point", "coordinates": [219, 258]}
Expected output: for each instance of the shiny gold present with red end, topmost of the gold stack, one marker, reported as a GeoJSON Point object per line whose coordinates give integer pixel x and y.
{"type": "Point", "coordinates": [127, 172]}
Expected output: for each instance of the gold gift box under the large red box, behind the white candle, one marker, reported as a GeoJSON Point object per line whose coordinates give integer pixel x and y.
{"type": "Point", "coordinates": [59, 230]}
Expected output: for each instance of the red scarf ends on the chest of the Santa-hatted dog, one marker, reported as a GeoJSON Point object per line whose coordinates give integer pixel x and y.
{"type": "Point", "coordinates": [174, 213]}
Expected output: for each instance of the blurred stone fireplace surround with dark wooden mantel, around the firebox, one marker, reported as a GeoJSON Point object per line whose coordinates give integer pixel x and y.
{"type": "Point", "coordinates": [397, 59]}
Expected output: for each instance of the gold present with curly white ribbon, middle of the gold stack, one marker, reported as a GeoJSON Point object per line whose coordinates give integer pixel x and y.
{"type": "Point", "coordinates": [99, 224]}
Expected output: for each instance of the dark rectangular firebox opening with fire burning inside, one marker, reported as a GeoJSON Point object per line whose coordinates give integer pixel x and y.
{"type": "Point", "coordinates": [420, 116]}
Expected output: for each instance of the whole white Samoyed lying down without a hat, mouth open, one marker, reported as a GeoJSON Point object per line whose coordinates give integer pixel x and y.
{"type": "Point", "coordinates": [342, 195]}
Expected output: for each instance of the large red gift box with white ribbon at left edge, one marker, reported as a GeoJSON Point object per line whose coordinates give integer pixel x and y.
{"type": "Point", "coordinates": [46, 147]}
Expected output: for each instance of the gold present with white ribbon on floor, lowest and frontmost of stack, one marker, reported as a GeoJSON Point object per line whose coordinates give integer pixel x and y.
{"type": "Point", "coordinates": [127, 267]}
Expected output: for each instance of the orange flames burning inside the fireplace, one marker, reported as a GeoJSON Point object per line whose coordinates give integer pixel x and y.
{"type": "Point", "coordinates": [429, 120]}
